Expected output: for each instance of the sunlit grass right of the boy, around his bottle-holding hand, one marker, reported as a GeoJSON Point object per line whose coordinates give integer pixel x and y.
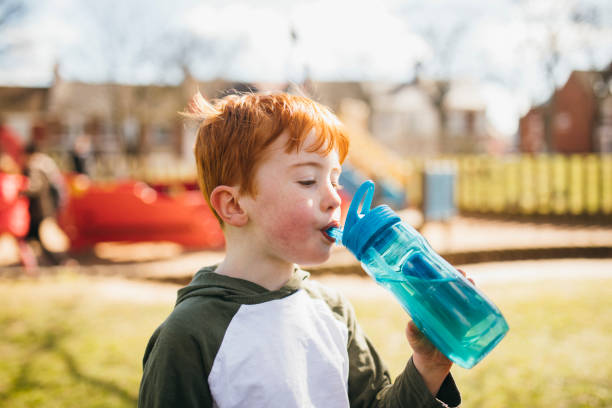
{"type": "Point", "coordinates": [558, 352]}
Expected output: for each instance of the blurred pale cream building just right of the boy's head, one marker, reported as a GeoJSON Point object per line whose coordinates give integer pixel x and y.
{"type": "Point", "coordinates": [429, 117]}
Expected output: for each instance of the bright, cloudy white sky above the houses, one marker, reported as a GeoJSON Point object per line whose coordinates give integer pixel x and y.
{"type": "Point", "coordinates": [501, 45]}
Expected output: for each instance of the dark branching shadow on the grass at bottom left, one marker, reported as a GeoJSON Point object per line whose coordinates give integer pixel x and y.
{"type": "Point", "coordinates": [49, 341]}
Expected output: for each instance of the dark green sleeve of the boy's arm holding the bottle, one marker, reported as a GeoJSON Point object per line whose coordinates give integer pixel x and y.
{"type": "Point", "coordinates": [370, 383]}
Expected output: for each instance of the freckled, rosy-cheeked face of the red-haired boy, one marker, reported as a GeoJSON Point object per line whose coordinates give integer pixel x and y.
{"type": "Point", "coordinates": [296, 201]}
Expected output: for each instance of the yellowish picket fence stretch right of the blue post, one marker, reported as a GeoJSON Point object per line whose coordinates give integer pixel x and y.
{"type": "Point", "coordinates": [535, 185]}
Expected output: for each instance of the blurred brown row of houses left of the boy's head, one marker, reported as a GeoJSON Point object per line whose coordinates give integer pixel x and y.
{"type": "Point", "coordinates": [137, 119]}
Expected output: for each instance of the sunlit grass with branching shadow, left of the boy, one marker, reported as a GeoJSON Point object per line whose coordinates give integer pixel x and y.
{"type": "Point", "coordinates": [69, 342]}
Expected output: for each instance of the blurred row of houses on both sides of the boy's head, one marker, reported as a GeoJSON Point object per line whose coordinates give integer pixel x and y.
{"type": "Point", "coordinates": [420, 118]}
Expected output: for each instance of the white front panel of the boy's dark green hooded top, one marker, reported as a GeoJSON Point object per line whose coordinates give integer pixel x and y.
{"type": "Point", "coordinates": [289, 352]}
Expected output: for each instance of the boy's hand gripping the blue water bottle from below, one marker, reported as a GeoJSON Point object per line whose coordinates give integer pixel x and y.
{"type": "Point", "coordinates": [428, 360]}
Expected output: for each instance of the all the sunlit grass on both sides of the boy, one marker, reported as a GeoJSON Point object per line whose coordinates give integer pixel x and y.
{"type": "Point", "coordinates": [71, 341]}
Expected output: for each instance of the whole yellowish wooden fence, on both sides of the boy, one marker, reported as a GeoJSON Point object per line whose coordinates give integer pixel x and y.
{"type": "Point", "coordinates": [511, 184]}
